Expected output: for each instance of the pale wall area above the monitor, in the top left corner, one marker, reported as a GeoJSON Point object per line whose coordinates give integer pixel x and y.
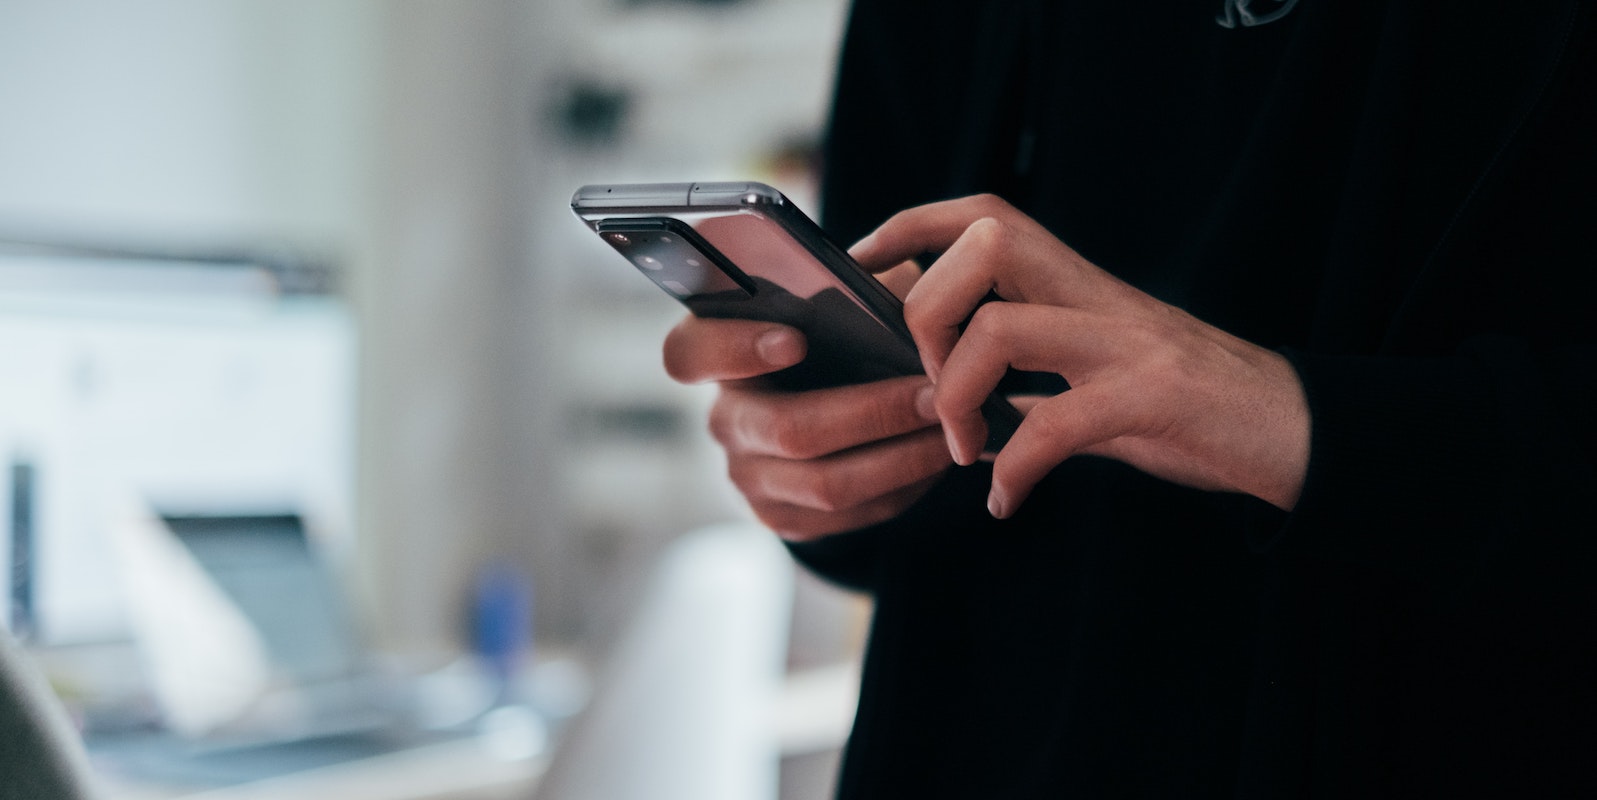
{"type": "Point", "coordinates": [184, 119]}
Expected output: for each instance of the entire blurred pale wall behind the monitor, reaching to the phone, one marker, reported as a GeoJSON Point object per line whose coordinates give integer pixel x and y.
{"type": "Point", "coordinates": [410, 141]}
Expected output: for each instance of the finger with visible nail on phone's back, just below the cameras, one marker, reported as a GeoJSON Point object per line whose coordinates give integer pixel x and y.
{"type": "Point", "coordinates": [699, 350]}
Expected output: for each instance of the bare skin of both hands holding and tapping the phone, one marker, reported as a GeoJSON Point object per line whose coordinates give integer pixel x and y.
{"type": "Point", "coordinates": [1151, 386]}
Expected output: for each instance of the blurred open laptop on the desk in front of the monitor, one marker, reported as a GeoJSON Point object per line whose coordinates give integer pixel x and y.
{"type": "Point", "coordinates": [336, 708]}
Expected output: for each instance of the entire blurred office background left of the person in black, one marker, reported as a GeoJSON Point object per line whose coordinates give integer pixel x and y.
{"type": "Point", "coordinates": [338, 454]}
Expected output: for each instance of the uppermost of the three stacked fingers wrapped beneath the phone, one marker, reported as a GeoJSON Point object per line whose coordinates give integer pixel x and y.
{"type": "Point", "coordinates": [820, 422]}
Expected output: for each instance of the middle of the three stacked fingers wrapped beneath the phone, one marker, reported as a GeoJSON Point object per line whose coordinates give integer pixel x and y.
{"type": "Point", "coordinates": [849, 480]}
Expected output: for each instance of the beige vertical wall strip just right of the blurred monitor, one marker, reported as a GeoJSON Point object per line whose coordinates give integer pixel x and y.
{"type": "Point", "coordinates": [440, 307]}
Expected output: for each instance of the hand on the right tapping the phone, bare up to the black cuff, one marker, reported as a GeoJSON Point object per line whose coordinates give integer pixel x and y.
{"type": "Point", "coordinates": [1151, 386]}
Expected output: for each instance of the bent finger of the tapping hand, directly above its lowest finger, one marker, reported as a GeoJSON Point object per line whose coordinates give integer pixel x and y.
{"type": "Point", "coordinates": [1031, 338]}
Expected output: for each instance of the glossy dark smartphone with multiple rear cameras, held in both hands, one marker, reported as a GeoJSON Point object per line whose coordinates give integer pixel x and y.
{"type": "Point", "coordinates": [745, 251]}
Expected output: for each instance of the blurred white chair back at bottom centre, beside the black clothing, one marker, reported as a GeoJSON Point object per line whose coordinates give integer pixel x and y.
{"type": "Point", "coordinates": [684, 705]}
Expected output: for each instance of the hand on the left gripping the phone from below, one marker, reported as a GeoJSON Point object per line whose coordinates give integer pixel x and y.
{"type": "Point", "coordinates": [817, 462]}
